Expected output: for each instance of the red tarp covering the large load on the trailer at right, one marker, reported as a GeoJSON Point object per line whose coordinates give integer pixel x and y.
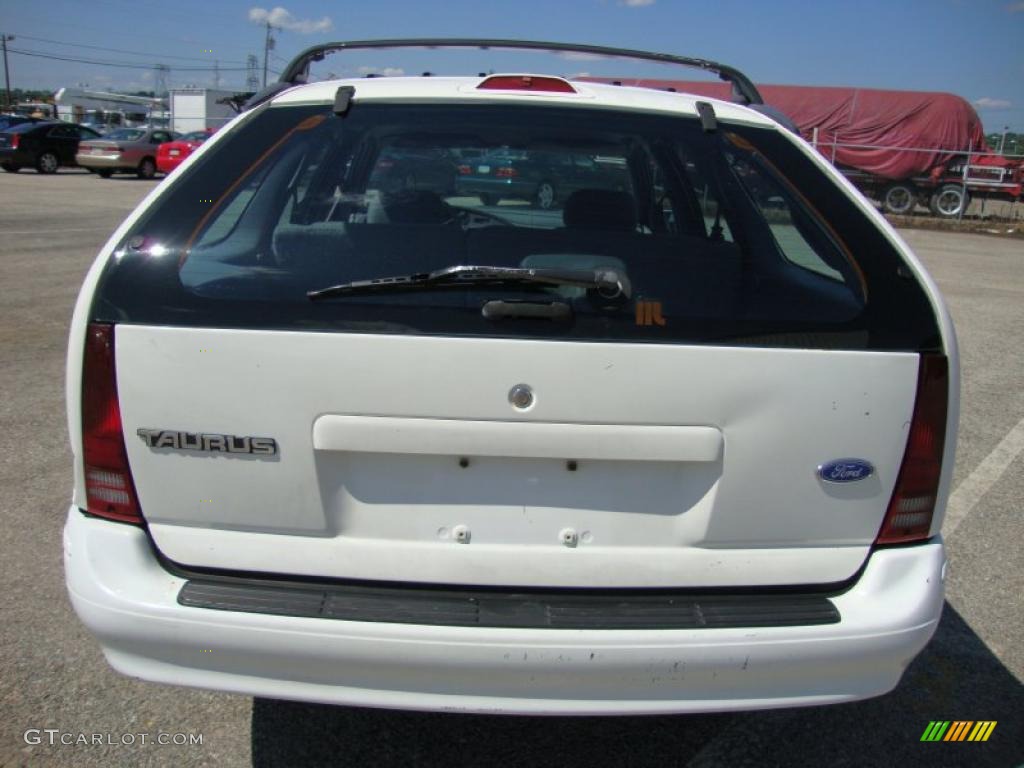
{"type": "Point", "coordinates": [943, 124]}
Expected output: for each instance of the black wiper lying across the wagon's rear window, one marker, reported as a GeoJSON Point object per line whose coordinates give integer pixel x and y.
{"type": "Point", "coordinates": [610, 284]}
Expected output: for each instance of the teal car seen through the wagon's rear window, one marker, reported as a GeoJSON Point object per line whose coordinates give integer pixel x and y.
{"type": "Point", "coordinates": [544, 179]}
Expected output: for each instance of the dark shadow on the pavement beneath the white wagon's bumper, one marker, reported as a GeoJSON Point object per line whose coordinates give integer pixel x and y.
{"type": "Point", "coordinates": [956, 678]}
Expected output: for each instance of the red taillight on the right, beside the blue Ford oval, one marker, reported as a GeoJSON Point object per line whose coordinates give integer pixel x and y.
{"type": "Point", "coordinates": [913, 505]}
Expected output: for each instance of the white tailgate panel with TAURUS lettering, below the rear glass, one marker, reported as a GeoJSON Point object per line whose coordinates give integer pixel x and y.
{"type": "Point", "coordinates": [402, 458]}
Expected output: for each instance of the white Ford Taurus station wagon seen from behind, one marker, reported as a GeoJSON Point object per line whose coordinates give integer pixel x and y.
{"type": "Point", "coordinates": [681, 442]}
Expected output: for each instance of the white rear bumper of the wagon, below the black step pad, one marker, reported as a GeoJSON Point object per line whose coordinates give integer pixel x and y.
{"type": "Point", "coordinates": [126, 599]}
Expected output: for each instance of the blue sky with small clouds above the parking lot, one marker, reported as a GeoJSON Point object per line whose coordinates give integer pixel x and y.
{"type": "Point", "coordinates": [969, 48]}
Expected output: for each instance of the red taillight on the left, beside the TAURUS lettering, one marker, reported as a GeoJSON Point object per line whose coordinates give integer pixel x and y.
{"type": "Point", "coordinates": [109, 488]}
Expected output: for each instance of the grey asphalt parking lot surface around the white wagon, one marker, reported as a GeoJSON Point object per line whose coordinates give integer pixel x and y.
{"type": "Point", "coordinates": [53, 675]}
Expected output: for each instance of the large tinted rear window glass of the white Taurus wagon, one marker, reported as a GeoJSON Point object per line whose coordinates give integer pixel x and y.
{"type": "Point", "coordinates": [716, 232]}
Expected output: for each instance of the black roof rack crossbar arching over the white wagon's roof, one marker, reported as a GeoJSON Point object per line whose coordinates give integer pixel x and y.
{"type": "Point", "coordinates": [743, 89]}
